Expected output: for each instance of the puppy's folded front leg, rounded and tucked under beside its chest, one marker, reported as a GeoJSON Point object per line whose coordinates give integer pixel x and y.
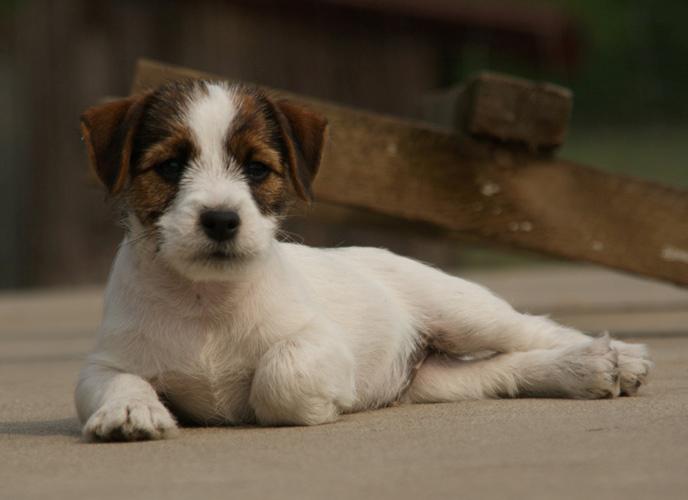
{"type": "Point", "coordinates": [304, 380]}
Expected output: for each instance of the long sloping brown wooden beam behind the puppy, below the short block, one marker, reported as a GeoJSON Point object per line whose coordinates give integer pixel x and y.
{"type": "Point", "coordinates": [506, 196]}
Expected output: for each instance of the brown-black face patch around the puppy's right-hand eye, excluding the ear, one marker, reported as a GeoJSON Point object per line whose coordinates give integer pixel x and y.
{"type": "Point", "coordinates": [256, 138]}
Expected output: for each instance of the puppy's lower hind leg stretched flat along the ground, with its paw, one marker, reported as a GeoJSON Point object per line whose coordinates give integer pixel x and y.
{"type": "Point", "coordinates": [587, 370]}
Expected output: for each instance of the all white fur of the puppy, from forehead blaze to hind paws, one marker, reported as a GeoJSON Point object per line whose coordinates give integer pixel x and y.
{"type": "Point", "coordinates": [287, 334]}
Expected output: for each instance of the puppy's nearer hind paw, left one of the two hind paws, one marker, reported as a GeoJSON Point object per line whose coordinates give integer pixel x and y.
{"type": "Point", "coordinates": [591, 370]}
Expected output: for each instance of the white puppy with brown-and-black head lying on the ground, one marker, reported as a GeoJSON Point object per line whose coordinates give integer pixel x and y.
{"type": "Point", "coordinates": [210, 318]}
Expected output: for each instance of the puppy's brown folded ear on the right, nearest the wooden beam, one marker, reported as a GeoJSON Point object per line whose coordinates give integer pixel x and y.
{"type": "Point", "coordinates": [304, 136]}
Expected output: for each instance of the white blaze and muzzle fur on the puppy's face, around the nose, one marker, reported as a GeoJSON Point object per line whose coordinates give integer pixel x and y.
{"type": "Point", "coordinates": [211, 181]}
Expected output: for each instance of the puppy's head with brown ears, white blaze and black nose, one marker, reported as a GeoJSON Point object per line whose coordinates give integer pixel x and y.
{"type": "Point", "coordinates": [204, 169]}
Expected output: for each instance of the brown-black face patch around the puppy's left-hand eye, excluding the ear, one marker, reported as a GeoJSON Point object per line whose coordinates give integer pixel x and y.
{"type": "Point", "coordinates": [161, 137]}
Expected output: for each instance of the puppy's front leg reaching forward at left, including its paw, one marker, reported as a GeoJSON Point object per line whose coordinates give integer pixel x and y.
{"type": "Point", "coordinates": [117, 406]}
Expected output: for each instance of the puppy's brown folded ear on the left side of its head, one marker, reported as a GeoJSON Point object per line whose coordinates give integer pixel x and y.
{"type": "Point", "coordinates": [108, 131]}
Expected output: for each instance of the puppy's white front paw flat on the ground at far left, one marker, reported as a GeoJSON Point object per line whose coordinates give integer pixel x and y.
{"type": "Point", "coordinates": [130, 420]}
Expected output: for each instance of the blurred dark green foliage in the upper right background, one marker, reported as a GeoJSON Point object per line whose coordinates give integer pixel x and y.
{"type": "Point", "coordinates": [634, 65]}
